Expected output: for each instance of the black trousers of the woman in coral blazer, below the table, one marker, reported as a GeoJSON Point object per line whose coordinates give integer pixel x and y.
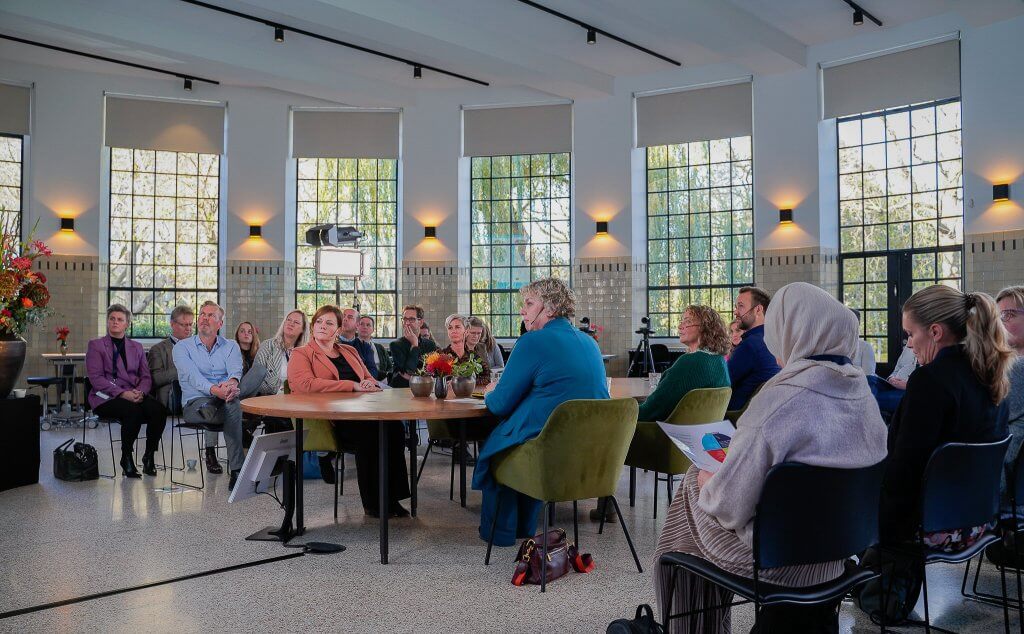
{"type": "Point", "coordinates": [361, 438]}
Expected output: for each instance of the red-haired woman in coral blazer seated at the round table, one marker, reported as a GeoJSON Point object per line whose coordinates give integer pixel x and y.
{"type": "Point", "coordinates": [326, 366]}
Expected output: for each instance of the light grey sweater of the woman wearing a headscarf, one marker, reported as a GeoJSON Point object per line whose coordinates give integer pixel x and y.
{"type": "Point", "coordinates": [823, 416]}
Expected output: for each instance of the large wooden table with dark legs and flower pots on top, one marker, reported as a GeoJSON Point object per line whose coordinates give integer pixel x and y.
{"type": "Point", "coordinates": [391, 406]}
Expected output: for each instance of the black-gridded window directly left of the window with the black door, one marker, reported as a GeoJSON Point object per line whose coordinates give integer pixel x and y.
{"type": "Point", "coordinates": [700, 228]}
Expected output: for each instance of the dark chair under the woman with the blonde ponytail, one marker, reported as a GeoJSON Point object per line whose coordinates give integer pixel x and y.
{"type": "Point", "coordinates": [961, 489]}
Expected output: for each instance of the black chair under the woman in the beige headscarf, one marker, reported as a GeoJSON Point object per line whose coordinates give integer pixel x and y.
{"type": "Point", "coordinates": [841, 505]}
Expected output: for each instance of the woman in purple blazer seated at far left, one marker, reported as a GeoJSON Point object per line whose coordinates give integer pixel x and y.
{"type": "Point", "coordinates": [120, 377]}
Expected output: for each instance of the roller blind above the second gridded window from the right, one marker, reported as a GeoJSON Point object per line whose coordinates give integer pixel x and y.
{"type": "Point", "coordinates": [702, 114]}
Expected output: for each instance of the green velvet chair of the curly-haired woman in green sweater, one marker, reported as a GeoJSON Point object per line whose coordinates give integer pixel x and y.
{"type": "Point", "coordinates": [653, 451]}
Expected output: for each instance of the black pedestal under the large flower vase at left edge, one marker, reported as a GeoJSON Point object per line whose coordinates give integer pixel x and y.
{"type": "Point", "coordinates": [20, 431]}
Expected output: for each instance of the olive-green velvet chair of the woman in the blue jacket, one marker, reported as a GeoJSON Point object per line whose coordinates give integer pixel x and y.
{"type": "Point", "coordinates": [578, 455]}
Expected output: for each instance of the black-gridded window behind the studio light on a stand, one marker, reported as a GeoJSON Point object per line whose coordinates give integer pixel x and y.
{"type": "Point", "coordinates": [362, 193]}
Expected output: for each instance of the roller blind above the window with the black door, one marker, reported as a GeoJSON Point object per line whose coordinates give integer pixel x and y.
{"type": "Point", "coordinates": [924, 74]}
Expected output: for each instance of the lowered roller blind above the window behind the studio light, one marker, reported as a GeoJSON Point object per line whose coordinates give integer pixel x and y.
{"type": "Point", "coordinates": [345, 135]}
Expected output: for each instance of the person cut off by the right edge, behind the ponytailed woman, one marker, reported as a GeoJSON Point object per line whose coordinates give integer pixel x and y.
{"type": "Point", "coordinates": [1011, 303]}
